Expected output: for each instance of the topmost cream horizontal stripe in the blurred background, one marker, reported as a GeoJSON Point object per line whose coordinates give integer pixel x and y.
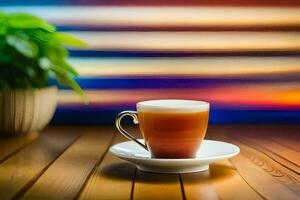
{"type": "Point", "coordinates": [165, 16]}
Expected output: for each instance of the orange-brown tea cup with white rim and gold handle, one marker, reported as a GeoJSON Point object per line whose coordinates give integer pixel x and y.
{"type": "Point", "coordinates": [170, 128]}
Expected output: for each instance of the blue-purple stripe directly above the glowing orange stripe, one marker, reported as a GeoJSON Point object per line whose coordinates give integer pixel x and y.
{"type": "Point", "coordinates": [160, 82]}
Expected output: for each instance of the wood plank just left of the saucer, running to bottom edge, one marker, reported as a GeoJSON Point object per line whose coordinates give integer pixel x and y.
{"type": "Point", "coordinates": [76, 163]}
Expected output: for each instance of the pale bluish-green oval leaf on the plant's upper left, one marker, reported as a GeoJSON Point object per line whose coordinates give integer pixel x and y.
{"type": "Point", "coordinates": [25, 47]}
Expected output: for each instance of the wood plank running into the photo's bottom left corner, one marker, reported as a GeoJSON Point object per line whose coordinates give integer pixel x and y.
{"type": "Point", "coordinates": [21, 170]}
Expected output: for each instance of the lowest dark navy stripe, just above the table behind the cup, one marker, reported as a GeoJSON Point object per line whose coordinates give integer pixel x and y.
{"type": "Point", "coordinates": [217, 116]}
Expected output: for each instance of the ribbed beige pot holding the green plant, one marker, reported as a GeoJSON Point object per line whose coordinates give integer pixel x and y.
{"type": "Point", "coordinates": [26, 111]}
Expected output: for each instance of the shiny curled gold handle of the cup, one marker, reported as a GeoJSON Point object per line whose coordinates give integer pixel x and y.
{"type": "Point", "coordinates": [119, 118]}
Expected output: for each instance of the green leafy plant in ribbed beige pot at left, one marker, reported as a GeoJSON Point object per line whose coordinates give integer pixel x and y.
{"type": "Point", "coordinates": [31, 53]}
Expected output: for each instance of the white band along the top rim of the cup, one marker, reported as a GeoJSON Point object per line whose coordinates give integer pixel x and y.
{"type": "Point", "coordinates": [173, 105]}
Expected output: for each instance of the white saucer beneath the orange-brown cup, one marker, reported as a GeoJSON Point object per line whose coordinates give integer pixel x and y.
{"type": "Point", "coordinates": [209, 152]}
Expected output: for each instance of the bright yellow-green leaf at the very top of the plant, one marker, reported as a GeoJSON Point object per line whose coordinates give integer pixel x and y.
{"type": "Point", "coordinates": [27, 21]}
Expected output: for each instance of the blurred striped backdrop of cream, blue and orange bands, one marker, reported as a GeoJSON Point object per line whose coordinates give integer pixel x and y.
{"type": "Point", "coordinates": [241, 56]}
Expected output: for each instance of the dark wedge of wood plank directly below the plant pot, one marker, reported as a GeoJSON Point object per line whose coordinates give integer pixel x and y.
{"type": "Point", "coordinates": [9, 146]}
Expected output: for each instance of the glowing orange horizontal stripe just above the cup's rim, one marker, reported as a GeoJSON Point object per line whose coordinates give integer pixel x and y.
{"type": "Point", "coordinates": [268, 96]}
